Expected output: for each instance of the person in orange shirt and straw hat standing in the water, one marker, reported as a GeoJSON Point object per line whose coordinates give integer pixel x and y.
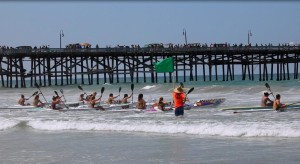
{"type": "Point", "coordinates": [179, 99]}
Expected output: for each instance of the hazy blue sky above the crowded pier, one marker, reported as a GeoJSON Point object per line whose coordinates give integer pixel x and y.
{"type": "Point", "coordinates": [136, 22]}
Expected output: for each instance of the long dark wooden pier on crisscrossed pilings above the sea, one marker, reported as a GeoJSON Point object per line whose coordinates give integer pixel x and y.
{"type": "Point", "coordinates": [67, 66]}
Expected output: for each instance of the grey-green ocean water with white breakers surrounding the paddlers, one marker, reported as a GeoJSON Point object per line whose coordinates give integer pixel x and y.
{"type": "Point", "coordinates": [204, 135]}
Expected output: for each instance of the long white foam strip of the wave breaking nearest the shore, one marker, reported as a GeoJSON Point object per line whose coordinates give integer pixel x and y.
{"type": "Point", "coordinates": [232, 129]}
